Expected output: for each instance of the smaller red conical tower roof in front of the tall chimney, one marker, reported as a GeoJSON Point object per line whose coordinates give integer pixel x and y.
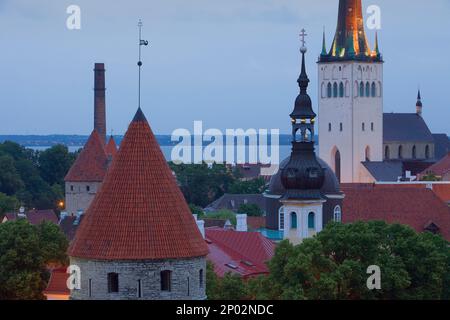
{"type": "Point", "coordinates": [91, 164]}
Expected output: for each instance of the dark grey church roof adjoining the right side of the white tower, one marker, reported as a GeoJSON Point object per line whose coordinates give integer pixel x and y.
{"type": "Point", "coordinates": [405, 127]}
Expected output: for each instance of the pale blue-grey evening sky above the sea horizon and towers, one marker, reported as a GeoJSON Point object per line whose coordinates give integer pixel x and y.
{"type": "Point", "coordinates": [228, 63]}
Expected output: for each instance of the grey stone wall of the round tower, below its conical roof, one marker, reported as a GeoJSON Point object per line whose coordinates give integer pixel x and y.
{"type": "Point", "coordinates": [148, 272]}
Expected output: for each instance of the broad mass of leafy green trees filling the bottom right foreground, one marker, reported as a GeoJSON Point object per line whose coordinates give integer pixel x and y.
{"type": "Point", "coordinates": [333, 264]}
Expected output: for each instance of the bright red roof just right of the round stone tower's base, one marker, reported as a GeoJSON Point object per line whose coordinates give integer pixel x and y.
{"type": "Point", "coordinates": [243, 253]}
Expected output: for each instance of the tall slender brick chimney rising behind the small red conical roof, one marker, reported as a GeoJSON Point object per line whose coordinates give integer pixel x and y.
{"type": "Point", "coordinates": [99, 101]}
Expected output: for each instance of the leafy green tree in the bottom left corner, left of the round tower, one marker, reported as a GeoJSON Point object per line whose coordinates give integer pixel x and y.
{"type": "Point", "coordinates": [25, 253]}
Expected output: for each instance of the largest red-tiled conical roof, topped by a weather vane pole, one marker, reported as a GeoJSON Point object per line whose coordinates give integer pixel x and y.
{"type": "Point", "coordinates": [139, 213]}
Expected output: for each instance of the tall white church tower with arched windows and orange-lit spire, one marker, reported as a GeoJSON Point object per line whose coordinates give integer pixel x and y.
{"type": "Point", "coordinates": [350, 98]}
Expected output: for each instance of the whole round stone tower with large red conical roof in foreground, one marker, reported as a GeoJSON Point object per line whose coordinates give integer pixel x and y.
{"type": "Point", "coordinates": [138, 239]}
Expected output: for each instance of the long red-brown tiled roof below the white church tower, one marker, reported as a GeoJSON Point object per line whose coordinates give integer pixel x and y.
{"type": "Point", "coordinates": [416, 207]}
